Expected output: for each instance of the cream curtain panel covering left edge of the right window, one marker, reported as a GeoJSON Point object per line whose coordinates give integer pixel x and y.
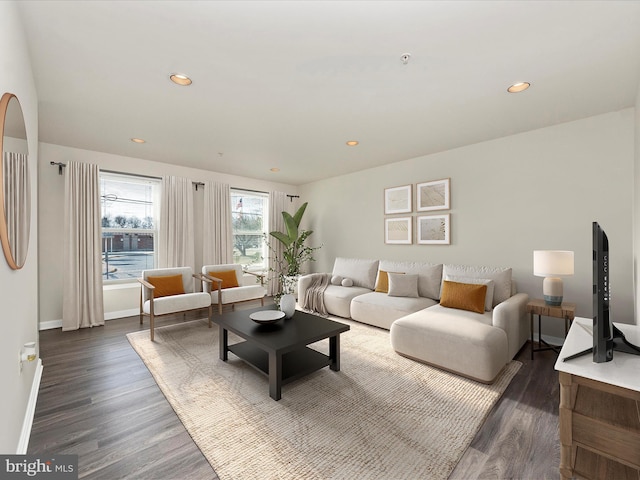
{"type": "Point", "coordinates": [217, 242]}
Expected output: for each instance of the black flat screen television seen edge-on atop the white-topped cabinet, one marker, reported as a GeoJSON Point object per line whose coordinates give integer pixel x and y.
{"type": "Point", "coordinates": [606, 336]}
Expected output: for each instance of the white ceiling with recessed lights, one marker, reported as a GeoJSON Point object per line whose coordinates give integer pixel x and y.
{"type": "Point", "coordinates": [285, 84]}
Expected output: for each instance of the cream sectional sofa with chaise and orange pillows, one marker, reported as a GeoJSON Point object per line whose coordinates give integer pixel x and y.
{"type": "Point", "coordinates": [478, 328]}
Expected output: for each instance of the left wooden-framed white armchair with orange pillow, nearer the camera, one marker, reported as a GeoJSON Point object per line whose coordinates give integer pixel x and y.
{"type": "Point", "coordinates": [167, 291]}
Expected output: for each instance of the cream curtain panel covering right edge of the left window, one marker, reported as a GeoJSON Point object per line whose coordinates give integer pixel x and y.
{"type": "Point", "coordinates": [176, 243]}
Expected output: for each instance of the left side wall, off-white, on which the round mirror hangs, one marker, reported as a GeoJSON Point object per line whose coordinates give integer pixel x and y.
{"type": "Point", "coordinates": [18, 288]}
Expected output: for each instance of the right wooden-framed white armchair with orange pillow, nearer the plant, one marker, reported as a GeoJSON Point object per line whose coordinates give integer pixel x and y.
{"type": "Point", "coordinates": [245, 286]}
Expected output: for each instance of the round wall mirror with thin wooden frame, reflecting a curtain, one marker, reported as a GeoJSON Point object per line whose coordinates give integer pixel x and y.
{"type": "Point", "coordinates": [15, 190]}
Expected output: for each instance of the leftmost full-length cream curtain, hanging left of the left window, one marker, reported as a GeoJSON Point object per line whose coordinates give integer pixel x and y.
{"type": "Point", "coordinates": [82, 304]}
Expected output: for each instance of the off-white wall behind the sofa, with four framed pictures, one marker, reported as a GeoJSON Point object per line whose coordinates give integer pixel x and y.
{"type": "Point", "coordinates": [537, 190]}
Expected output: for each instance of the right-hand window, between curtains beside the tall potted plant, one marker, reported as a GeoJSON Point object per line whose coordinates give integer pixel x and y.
{"type": "Point", "coordinates": [249, 217]}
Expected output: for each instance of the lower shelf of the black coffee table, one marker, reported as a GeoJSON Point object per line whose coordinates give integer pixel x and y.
{"type": "Point", "coordinates": [295, 364]}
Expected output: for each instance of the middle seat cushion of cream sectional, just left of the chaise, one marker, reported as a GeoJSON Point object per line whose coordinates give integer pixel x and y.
{"type": "Point", "coordinates": [381, 310]}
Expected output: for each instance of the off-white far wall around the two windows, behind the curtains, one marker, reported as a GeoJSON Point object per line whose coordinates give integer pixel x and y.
{"type": "Point", "coordinates": [118, 301]}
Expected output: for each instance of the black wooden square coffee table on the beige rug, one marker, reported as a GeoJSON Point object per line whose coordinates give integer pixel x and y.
{"type": "Point", "coordinates": [279, 350]}
